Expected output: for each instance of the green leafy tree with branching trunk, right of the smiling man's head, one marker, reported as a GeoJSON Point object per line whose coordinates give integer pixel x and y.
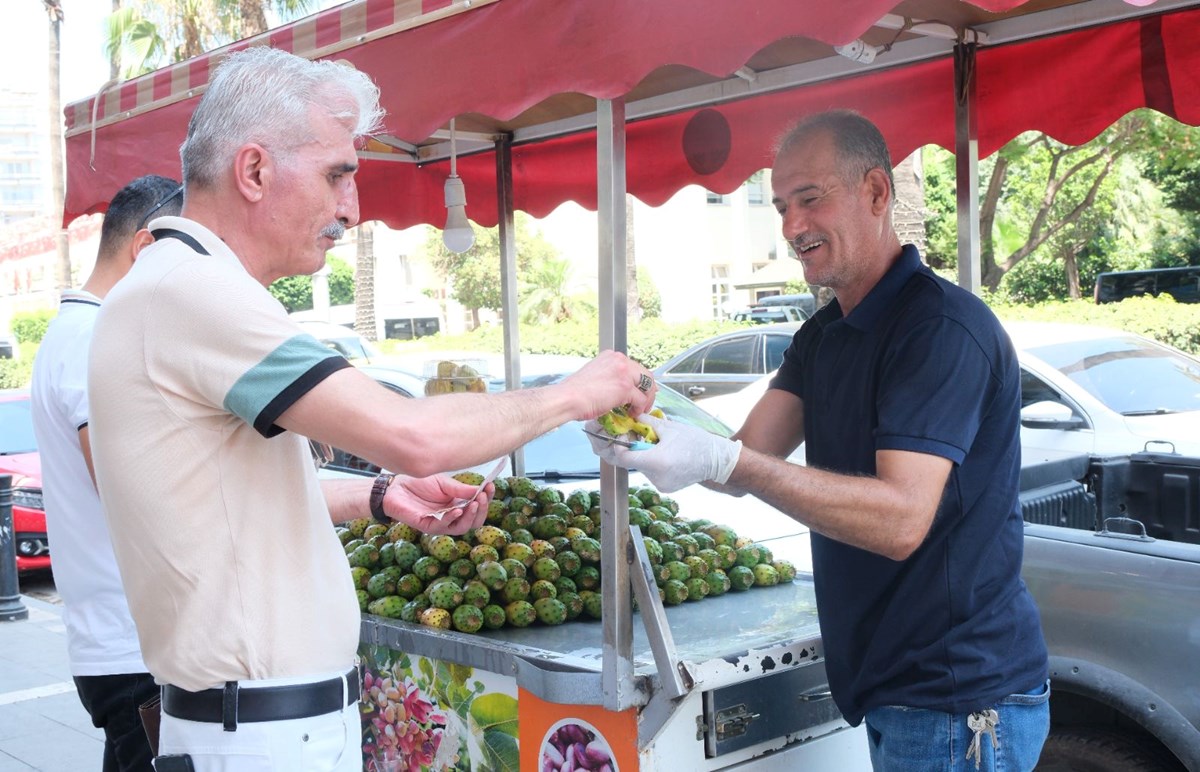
{"type": "Point", "coordinates": [1053, 217]}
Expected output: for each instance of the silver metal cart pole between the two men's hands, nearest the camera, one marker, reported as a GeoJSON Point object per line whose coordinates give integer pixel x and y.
{"type": "Point", "coordinates": [617, 678]}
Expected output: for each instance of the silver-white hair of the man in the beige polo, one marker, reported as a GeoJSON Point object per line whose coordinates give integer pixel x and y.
{"type": "Point", "coordinates": [262, 95]}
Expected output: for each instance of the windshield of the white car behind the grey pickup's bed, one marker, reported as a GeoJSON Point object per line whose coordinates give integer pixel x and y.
{"type": "Point", "coordinates": [1131, 376]}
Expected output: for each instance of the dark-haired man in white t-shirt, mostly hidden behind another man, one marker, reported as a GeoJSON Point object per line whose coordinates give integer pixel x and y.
{"type": "Point", "coordinates": [103, 644]}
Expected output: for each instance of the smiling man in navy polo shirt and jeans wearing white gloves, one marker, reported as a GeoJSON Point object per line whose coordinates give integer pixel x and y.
{"type": "Point", "coordinates": [908, 393]}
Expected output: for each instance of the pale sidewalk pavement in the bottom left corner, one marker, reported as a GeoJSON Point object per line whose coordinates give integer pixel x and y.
{"type": "Point", "coordinates": [43, 726]}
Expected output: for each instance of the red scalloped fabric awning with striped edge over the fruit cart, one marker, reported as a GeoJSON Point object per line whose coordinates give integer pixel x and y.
{"type": "Point", "coordinates": [709, 86]}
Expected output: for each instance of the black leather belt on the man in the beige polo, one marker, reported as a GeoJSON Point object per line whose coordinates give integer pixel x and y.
{"type": "Point", "coordinates": [231, 705]}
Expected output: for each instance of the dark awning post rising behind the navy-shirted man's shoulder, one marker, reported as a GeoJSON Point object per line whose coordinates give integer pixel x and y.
{"type": "Point", "coordinates": [967, 167]}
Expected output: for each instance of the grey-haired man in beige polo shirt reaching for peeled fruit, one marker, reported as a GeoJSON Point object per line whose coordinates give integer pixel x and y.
{"type": "Point", "coordinates": [203, 393]}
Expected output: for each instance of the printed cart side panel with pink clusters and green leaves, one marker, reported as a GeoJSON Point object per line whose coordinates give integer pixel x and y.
{"type": "Point", "coordinates": [423, 714]}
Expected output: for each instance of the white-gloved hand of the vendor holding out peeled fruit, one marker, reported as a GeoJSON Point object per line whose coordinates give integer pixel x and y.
{"type": "Point", "coordinates": [685, 456]}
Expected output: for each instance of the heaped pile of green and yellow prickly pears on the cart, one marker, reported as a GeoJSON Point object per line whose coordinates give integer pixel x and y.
{"type": "Point", "coordinates": [537, 560]}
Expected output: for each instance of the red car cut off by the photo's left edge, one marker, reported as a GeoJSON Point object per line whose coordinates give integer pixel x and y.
{"type": "Point", "coordinates": [19, 458]}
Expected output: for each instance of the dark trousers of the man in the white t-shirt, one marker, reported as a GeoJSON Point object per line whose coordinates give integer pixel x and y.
{"type": "Point", "coordinates": [113, 703]}
